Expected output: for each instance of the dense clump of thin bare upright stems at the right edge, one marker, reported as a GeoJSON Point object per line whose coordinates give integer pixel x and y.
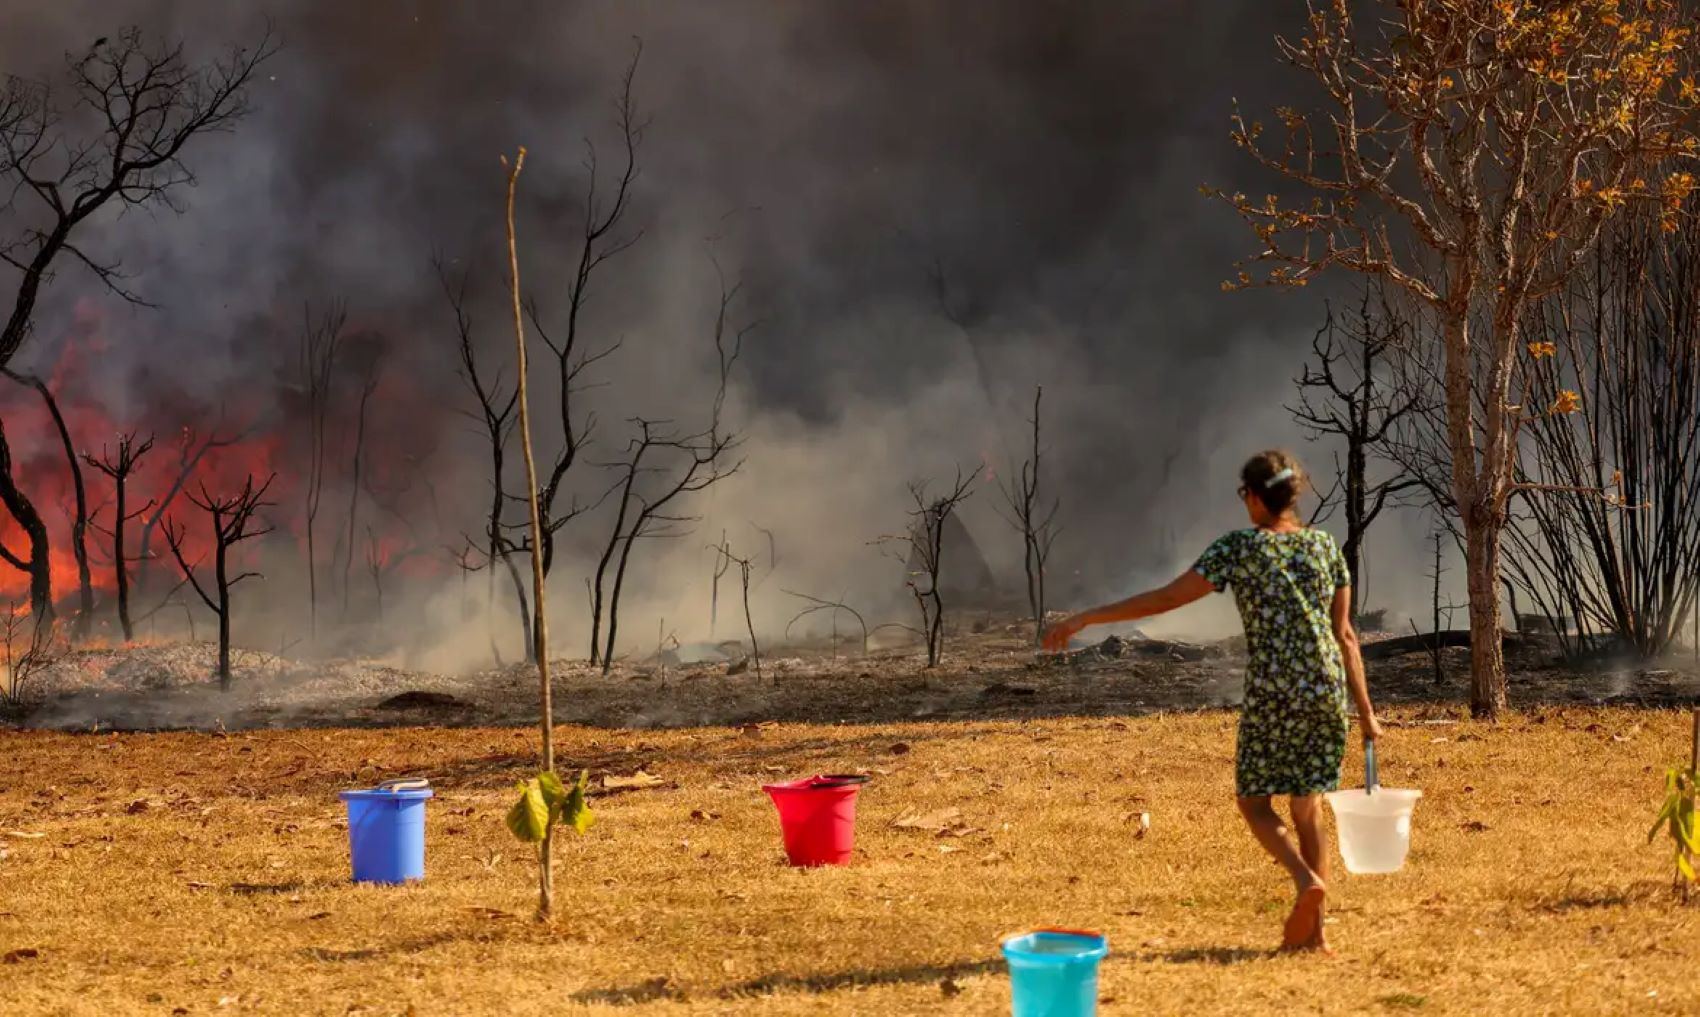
{"type": "Point", "coordinates": [1607, 526]}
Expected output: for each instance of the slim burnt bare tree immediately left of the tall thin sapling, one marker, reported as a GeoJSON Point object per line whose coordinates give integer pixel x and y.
{"type": "Point", "coordinates": [496, 418]}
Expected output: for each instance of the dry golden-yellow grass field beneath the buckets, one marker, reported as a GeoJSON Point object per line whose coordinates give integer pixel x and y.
{"type": "Point", "coordinates": [208, 875]}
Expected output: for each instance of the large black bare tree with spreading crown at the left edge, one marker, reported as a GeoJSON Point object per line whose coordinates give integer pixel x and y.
{"type": "Point", "coordinates": [111, 140]}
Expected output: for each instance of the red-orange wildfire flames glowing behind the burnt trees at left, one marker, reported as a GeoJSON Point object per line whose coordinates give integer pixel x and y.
{"type": "Point", "coordinates": [212, 448]}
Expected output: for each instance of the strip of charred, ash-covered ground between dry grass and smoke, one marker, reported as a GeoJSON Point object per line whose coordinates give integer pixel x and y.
{"type": "Point", "coordinates": [987, 674]}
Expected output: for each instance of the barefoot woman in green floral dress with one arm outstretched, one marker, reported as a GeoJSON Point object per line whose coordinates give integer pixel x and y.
{"type": "Point", "coordinates": [1295, 599]}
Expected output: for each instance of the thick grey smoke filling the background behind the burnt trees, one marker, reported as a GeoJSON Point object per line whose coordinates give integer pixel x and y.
{"type": "Point", "coordinates": [929, 208]}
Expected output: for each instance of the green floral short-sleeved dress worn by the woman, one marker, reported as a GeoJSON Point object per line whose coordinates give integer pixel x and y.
{"type": "Point", "coordinates": [1293, 727]}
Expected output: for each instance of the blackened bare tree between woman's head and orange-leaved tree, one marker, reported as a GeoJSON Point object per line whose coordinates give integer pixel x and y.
{"type": "Point", "coordinates": [1351, 395]}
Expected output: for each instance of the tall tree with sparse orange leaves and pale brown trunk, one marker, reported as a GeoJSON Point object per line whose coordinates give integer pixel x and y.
{"type": "Point", "coordinates": [1470, 152]}
